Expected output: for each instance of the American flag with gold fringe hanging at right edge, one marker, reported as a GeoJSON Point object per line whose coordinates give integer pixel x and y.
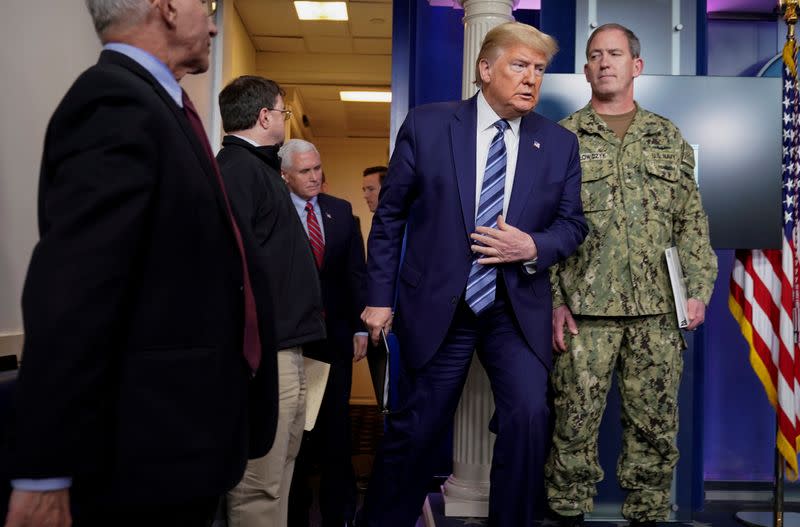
{"type": "Point", "coordinates": [765, 297]}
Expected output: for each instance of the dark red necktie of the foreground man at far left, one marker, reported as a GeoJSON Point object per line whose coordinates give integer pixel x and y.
{"type": "Point", "coordinates": [252, 341]}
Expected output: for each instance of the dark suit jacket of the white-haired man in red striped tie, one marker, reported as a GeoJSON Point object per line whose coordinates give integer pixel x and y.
{"type": "Point", "coordinates": [342, 274]}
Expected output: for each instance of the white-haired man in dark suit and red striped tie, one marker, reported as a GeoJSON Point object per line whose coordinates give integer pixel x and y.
{"type": "Point", "coordinates": [336, 241]}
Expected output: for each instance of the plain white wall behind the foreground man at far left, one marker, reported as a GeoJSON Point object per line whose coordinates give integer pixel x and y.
{"type": "Point", "coordinates": [44, 46]}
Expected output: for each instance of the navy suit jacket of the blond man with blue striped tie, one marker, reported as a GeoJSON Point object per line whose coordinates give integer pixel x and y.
{"type": "Point", "coordinates": [429, 192]}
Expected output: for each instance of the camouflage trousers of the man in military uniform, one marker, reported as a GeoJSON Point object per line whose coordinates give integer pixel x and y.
{"type": "Point", "coordinates": [647, 354]}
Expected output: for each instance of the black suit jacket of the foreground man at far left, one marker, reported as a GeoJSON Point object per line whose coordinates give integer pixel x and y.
{"type": "Point", "coordinates": [133, 380]}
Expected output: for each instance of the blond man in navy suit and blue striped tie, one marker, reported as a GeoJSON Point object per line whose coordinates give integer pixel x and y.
{"type": "Point", "coordinates": [488, 194]}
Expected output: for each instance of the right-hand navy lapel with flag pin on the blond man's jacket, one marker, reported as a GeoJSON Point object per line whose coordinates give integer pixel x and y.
{"type": "Point", "coordinates": [528, 167]}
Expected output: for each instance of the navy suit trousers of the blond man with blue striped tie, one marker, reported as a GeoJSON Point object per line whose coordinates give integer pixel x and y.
{"type": "Point", "coordinates": [522, 422]}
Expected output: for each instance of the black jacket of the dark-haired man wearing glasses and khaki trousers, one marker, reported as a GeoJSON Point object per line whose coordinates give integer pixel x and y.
{"type": "Point", "coordinates": [276, 241]}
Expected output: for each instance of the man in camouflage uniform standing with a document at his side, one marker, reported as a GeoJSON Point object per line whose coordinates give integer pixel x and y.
{"type": "Point", "coordinates": [614, 296]}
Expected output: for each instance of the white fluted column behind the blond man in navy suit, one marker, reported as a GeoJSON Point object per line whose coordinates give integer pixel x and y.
{"type": "Point", "coordinates": [466, 492]}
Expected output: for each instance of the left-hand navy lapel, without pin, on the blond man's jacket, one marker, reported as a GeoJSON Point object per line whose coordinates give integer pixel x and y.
{"type": "Point", "coordinates": [463, 148]}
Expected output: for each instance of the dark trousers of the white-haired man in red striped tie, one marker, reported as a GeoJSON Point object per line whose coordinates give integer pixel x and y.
{"type": "Point", "coordinates": [329, 446]}
